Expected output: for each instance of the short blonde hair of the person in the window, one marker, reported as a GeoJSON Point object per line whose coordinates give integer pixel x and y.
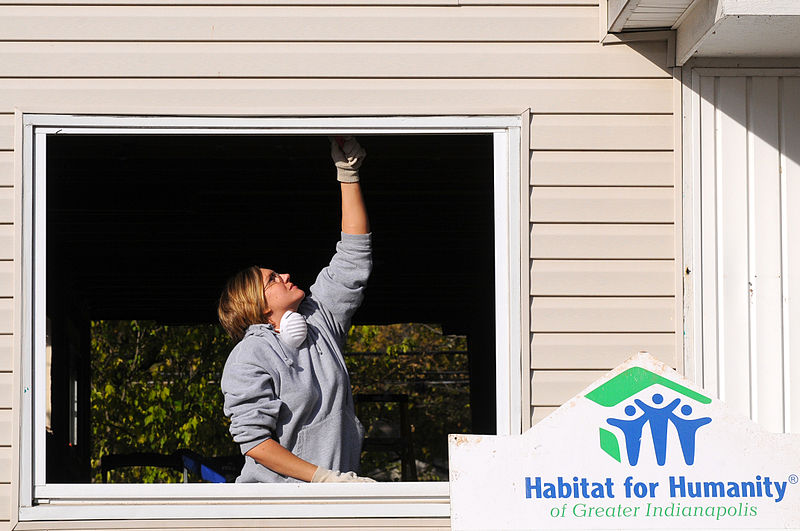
{"type": "Point", "coordinates": [242, 302]}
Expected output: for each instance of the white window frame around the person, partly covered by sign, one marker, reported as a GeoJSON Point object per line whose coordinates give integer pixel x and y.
{"type": "Point", "coordinates": [42, 501]}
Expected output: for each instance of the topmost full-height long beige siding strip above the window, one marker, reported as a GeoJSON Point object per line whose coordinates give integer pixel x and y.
{"type": "Point", "coordinates": [253, 23]}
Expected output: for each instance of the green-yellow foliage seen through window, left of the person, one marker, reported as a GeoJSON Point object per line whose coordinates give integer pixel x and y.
{"type": "Point", "coordinates": [155, 388]}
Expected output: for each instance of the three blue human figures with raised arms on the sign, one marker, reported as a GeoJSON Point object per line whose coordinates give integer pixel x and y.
{"type": "Point", "coordinates": [659, 419]}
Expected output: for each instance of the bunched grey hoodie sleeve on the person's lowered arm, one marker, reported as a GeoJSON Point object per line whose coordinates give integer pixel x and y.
{"type": "Point", "coordinates": [251, 404]}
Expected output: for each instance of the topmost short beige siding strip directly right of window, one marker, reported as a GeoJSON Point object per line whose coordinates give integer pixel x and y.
{"type": "Point", "coordinates": [602, 132]}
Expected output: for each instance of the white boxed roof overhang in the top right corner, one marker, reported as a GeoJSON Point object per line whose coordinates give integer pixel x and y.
{"type": "Point", "coordinates": [703, 30]}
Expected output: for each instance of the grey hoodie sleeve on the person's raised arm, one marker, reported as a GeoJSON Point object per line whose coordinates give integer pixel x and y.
{"type": "Point", "coordinates": [339, 288]}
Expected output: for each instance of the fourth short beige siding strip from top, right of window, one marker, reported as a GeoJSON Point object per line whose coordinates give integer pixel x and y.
{"type": "Point", "coordinates": [602, 241]}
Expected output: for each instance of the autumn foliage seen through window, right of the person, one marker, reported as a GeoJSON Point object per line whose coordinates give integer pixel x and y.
{"type": "Point", "coordinates": [431, 368]}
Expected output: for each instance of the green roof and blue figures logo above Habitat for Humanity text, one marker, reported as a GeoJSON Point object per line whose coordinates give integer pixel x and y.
{"type": "Point", "coordinates": [655, 415]}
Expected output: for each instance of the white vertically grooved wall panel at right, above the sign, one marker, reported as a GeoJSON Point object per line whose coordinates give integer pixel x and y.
{"type": "Point", "coordinates": [739, 144]}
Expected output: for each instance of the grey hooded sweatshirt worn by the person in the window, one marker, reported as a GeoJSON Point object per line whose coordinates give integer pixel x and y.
{"type": "Point", "coordinates": [301, 397]}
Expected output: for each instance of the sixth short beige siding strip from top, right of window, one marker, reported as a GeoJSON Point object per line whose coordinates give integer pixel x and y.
{"type": "Point", "coordinates": [603, 314]}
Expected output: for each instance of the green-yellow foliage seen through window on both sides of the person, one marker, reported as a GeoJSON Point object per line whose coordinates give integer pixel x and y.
{"type": "Point", "coordinates": [155, 388]}
